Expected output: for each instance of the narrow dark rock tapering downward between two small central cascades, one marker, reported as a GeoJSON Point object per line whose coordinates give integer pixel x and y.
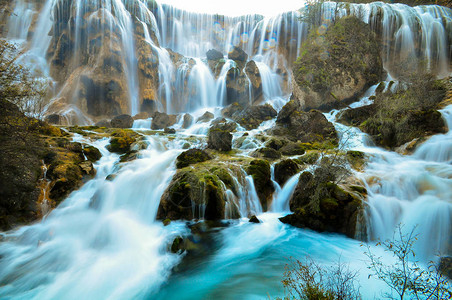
{"type": "Point", "coordinates": [260, 171]}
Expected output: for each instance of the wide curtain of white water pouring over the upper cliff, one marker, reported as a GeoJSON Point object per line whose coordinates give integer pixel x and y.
{"type": "Point", "coordinates": [421, 33]}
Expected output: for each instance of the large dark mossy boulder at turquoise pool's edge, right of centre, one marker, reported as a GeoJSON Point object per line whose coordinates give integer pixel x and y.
{"type": "Point", "coordinates": [323, 205]}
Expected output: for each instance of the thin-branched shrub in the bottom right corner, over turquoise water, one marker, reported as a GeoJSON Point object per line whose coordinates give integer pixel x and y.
{"type": "Point", "coordinates": [405, 277]}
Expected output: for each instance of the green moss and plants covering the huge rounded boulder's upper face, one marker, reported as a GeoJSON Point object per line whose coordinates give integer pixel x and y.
{"type": "Point", "coordinates": [334, 47]}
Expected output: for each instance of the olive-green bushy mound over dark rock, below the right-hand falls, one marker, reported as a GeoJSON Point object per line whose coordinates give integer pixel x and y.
{"type": "Point", "coordinates": [409, 112]}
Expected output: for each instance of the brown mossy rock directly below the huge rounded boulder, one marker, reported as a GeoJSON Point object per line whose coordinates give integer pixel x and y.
{"type": "Point", "coordinates": [305, 127]}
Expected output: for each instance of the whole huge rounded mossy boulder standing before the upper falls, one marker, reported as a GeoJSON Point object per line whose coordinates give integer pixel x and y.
{"type": "Point", "coordinates": [334, 69]}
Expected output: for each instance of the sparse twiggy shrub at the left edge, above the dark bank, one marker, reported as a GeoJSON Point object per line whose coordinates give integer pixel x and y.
{"type": "Point", "coordinates": [18, 85]}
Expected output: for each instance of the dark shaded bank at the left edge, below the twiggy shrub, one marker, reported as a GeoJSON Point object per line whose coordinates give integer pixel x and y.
{"type": "Point", "coordinates": [20, 160]}
